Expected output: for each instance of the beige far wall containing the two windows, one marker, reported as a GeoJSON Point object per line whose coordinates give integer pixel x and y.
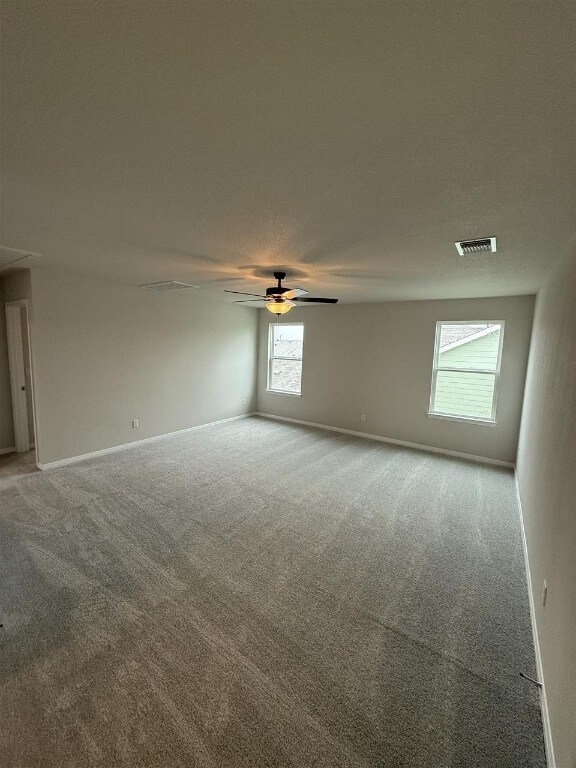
{"type": "Point", "coordinates": [376, 359]}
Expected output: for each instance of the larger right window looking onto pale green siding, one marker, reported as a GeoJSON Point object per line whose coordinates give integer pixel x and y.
{"type": "Point", "coordinates": [466, 370]}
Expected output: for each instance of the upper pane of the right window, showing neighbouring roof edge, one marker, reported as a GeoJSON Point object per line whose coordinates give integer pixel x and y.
{"type": "Point", "coordinates": [469, 346]}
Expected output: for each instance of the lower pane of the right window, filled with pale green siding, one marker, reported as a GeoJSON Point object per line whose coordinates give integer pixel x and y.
{"type": "Point", "coordinates": [464, 394]}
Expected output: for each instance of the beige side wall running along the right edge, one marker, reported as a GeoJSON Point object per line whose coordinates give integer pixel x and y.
{"type": "Point", "coordinates": [547, 482]}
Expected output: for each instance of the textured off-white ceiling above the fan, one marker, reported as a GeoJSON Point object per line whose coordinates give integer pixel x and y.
{"type": "Point", "coordinates": [350, 143]}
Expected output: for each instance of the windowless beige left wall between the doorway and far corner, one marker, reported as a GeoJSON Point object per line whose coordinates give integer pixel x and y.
{"type": "Point", "coordinates": [105, 354]}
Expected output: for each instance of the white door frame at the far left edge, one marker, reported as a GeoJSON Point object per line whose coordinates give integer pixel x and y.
{"type": "Point", "coordinates": [17, 371]}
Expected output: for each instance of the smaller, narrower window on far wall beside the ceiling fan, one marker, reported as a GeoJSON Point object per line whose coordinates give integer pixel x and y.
{"type": "Point", "coordinates": [285, 345]}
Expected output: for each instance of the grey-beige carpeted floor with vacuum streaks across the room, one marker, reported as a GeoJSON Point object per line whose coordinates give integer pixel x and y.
{"type": "Point", "coordinates": [263, 594]}
